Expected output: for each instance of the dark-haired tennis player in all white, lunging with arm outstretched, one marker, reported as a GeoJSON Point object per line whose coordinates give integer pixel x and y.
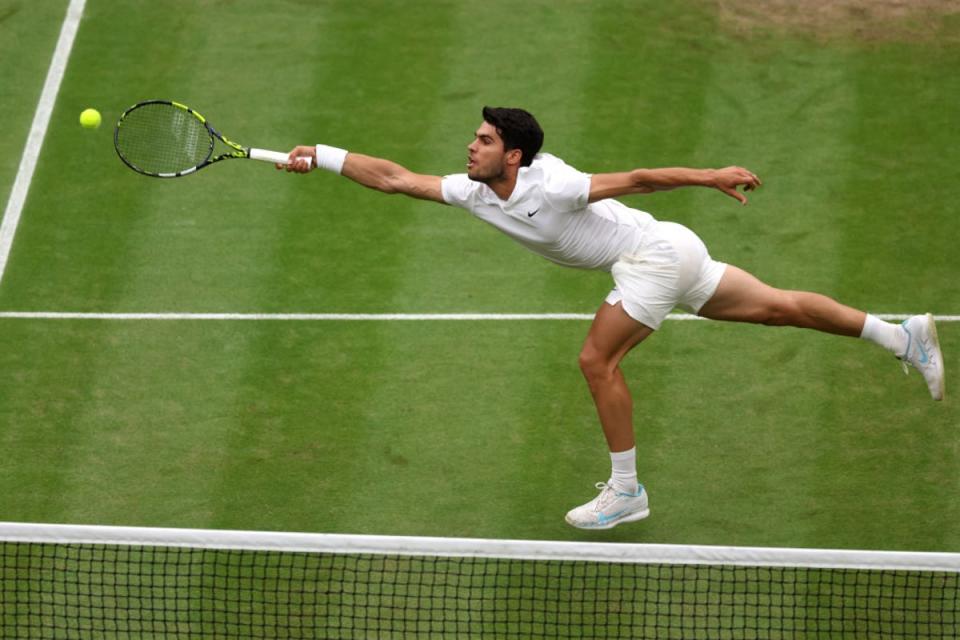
{"type": "Point", "coordinates": [572, 218]}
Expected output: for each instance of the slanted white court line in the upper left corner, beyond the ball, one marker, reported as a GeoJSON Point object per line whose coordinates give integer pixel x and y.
{"type": "Point", "coordinates": [38, 130]}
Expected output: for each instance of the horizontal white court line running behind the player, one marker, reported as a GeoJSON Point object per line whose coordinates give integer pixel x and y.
{"type": "Point", "coordinates": [308, 317]}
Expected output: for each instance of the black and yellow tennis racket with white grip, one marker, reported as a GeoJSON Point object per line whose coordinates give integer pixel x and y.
{"type": "Point", "coordinates": [166, 139]}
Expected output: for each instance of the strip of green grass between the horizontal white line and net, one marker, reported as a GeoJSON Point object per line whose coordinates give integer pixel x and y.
{"type": "Point", "coordinates": [380, 427]}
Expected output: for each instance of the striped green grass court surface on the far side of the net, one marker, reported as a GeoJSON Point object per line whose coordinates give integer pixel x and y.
{"type": "Point", "coordinates": [747, 435]}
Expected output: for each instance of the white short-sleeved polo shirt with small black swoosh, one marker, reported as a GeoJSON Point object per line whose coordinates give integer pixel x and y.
{"type": "Point", "coordinates": [548, 213]}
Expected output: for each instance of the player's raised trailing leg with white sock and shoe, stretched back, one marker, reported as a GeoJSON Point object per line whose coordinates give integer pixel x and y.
{"type": "Point", "coordinates": [741, 297]}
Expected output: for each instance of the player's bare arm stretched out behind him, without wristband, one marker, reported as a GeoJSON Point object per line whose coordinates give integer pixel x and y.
{"type": "Point", "coordinates": [727, 180]}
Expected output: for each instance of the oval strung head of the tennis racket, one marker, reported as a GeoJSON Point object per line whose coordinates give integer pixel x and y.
{"type": "Point", "coordinates": [162, 139]}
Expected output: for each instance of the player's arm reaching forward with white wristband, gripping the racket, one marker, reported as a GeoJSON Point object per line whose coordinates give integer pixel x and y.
{"type": "Point", "coordinates": [375, 173]}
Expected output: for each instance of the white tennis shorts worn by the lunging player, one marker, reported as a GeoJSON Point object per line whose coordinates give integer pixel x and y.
{"type": "Point", "coordinates": [671, 268]}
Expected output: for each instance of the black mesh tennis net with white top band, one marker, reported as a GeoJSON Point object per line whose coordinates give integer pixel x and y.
{"type": "Point", "coordinates": [61, 581]}
